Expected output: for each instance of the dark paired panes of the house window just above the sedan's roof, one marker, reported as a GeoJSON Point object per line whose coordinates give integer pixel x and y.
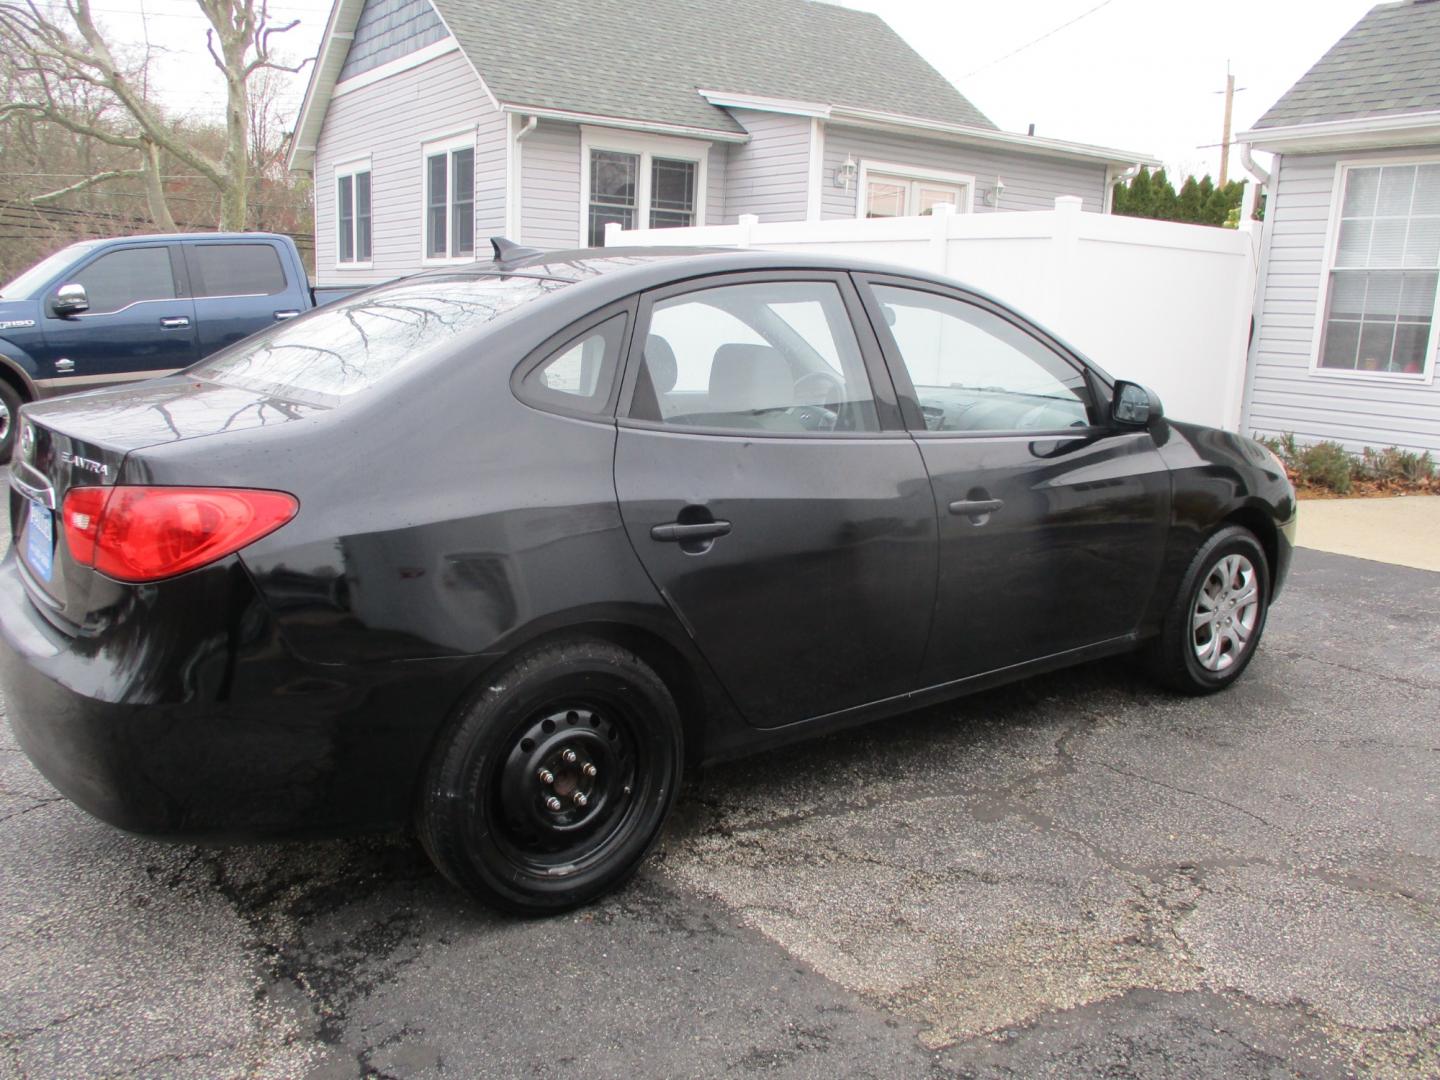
{"type": "Point", "coordinates": [640, 191]}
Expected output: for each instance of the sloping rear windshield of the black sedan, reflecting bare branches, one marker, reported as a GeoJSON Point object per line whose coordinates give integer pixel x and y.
{"type": "Point", "coordinates": [352, 345]}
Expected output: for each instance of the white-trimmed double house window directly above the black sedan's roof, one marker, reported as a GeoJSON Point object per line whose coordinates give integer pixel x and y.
{"type": "Point", "coordinates": [642, 182]}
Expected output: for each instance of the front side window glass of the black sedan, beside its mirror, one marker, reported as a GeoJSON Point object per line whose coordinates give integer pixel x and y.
{"type": "Point", "coordinates": [977, 372]}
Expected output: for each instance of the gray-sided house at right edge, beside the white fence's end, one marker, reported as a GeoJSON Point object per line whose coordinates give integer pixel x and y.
{"type": "Point", "coordinates": [1344, 341]}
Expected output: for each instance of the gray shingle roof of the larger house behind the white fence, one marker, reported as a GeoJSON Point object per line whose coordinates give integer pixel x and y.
{"type": "Point", "coordinates": [644, 60]}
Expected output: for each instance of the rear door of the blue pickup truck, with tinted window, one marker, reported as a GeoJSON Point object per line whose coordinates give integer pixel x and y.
{"type": "Point", "coordinates": [240, 289]}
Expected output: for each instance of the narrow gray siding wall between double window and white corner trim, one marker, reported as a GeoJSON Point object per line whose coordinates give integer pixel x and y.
{"type": "Point", "coordinates": [770, 175]}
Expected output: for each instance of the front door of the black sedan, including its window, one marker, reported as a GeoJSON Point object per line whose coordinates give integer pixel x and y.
{"type": "Point", "coordinates": [1052, 521]}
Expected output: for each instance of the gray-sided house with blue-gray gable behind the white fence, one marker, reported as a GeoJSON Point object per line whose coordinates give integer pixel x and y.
{"type": "Point", "coordinates": [431, 126]}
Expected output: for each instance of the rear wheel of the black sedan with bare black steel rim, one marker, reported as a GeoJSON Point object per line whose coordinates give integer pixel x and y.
{"type": "Point", "coordinates": [554, 783]}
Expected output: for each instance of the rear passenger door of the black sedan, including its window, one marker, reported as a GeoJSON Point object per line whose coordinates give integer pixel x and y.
{"type": "Point", "coordinates": [771, 493]}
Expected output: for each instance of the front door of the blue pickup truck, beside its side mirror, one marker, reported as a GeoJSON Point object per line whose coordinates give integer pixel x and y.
{"type": "Point", "coordinates": [140, 320]}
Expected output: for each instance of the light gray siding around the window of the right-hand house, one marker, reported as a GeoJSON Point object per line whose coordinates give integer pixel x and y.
{"type": "Point", "coordinates": [1282, 394]}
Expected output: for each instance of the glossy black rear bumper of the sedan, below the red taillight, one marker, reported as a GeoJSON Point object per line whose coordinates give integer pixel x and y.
{"type": "Point", "coordinates": [230, 738]}
